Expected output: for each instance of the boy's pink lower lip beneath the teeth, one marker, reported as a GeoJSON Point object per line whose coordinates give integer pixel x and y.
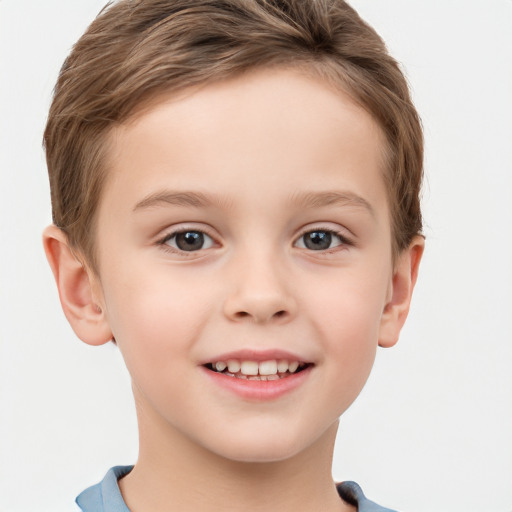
{"type": "Point", "coordinates": [259, 390]}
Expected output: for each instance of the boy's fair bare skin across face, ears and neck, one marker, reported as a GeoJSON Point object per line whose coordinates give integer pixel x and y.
{"type": "Point", "coordinates": [265, 150]}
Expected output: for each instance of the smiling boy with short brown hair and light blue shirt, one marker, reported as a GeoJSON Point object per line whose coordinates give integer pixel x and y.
{"type": "Point", "coordinates": [235, 190]}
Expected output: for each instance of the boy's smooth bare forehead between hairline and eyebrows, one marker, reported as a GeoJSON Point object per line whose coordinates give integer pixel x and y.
{"type": "Point", "coordinates": [266, 132]}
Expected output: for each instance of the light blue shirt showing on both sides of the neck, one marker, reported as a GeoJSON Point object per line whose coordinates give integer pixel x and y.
{"type": "Point", "coordinates": [106, 496]}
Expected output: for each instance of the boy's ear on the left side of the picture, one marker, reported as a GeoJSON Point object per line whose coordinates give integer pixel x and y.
{"type": "Point", "coordinates": [79, 289]}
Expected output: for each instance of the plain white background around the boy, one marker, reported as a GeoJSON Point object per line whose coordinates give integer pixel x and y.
{"type": "Point", "coordinates": [432, 431]}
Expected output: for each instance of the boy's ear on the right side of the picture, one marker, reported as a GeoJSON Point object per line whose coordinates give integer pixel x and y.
{"type": "Point", "coordinates": [400, 293]}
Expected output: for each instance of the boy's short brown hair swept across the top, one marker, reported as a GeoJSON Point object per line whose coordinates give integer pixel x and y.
{"type": "Point", "coordinates": [136, 49]}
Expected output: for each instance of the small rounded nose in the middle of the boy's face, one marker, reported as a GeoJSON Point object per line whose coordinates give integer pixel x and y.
{"type": "Point", "coordinates": [260, 292]}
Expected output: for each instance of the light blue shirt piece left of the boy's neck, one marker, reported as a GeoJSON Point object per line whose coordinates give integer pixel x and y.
{"type": "Point", "coordinates": [105, 496]}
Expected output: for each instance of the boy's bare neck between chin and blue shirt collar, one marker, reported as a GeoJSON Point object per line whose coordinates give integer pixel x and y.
{"type": "Point", "coordinates": [174, 473]}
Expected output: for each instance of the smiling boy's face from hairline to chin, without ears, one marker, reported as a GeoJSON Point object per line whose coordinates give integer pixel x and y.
{"type": "Point", "coordinates": [274, 184]}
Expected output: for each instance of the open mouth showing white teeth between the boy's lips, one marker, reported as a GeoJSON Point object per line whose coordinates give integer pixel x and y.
{"type": "Point", "coordinates": [270, 370]}
